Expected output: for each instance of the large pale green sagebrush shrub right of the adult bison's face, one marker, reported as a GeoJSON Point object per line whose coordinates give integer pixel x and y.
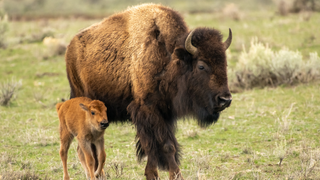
{"type": "Point", "coordinates": [261, 66]}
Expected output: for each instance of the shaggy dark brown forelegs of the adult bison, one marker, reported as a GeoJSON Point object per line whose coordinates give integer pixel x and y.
{"type": "Point", "coordinates": [156, 141]}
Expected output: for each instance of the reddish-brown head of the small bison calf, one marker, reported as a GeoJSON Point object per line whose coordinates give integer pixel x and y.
{"type": "Point", "coordinates": [96, 114]}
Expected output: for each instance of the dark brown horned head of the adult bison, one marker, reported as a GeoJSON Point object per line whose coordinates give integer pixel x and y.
{"type": "Point", "coordinates": [202, 89]}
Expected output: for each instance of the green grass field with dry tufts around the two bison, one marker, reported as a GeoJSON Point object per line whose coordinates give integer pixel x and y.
{"type": "Point", "coordinates": [261, 128]}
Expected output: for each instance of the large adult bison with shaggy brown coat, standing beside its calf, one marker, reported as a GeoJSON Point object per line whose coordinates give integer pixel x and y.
{"type": "Point", "coordinates": [146, 66]}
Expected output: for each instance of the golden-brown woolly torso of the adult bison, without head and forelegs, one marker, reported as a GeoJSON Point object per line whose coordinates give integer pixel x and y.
{"type": "Point", "coordinates": [119, 59]}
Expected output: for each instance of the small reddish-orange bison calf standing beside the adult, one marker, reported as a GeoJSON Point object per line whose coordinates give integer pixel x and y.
{"type": "Point", "coordinates": [87, 120]}
